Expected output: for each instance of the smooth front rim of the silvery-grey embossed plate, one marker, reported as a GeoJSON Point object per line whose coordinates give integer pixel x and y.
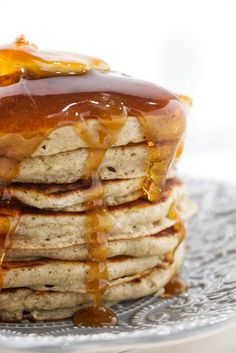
{"type": "Point", "coordinates": [147, 336]}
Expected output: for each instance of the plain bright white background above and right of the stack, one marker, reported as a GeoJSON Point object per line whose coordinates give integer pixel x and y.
{"type": "Point", "coordinates": [186, 46]}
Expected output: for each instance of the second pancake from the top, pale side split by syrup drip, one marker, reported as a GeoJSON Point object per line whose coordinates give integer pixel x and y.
{"type": "Point", "coordinates": [124, 162]}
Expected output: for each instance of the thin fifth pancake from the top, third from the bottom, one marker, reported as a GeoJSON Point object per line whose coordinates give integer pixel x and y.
{"type": "Point", "coordinates": [157, 244]}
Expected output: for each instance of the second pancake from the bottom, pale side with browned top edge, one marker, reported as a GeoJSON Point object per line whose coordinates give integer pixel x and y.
{"type": "Point", "coordinates": [46, 274]}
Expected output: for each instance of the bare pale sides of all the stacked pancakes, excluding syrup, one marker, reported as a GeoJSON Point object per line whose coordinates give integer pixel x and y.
{"type": "Point", "coordinates": [45, 269]}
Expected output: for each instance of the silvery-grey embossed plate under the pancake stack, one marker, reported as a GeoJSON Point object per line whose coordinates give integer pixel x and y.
{"type": "Point", "coordinates": [210, 271]}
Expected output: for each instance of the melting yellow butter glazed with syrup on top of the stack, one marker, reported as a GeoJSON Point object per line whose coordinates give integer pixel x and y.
{"type": "Point", "coordinates": [22, 59]}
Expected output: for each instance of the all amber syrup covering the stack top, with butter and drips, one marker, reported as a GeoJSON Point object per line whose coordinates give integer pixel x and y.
{"type": "Point", "coordinates": [42, 91]}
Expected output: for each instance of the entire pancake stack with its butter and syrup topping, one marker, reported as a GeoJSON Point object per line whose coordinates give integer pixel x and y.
{"type": "Point", "coordinates": [92, 212]}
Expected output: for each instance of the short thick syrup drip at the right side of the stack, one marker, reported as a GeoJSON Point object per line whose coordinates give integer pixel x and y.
{"type": "Point", "coordinates": [163, 133]}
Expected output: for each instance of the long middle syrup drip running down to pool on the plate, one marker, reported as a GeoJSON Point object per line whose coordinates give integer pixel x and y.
{"type": "Point", "coordinates": [111, 118]}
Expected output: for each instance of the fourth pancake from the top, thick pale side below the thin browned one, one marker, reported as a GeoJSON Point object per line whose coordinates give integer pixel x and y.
{"type": "Point", "coordinates": [49, 230]}
